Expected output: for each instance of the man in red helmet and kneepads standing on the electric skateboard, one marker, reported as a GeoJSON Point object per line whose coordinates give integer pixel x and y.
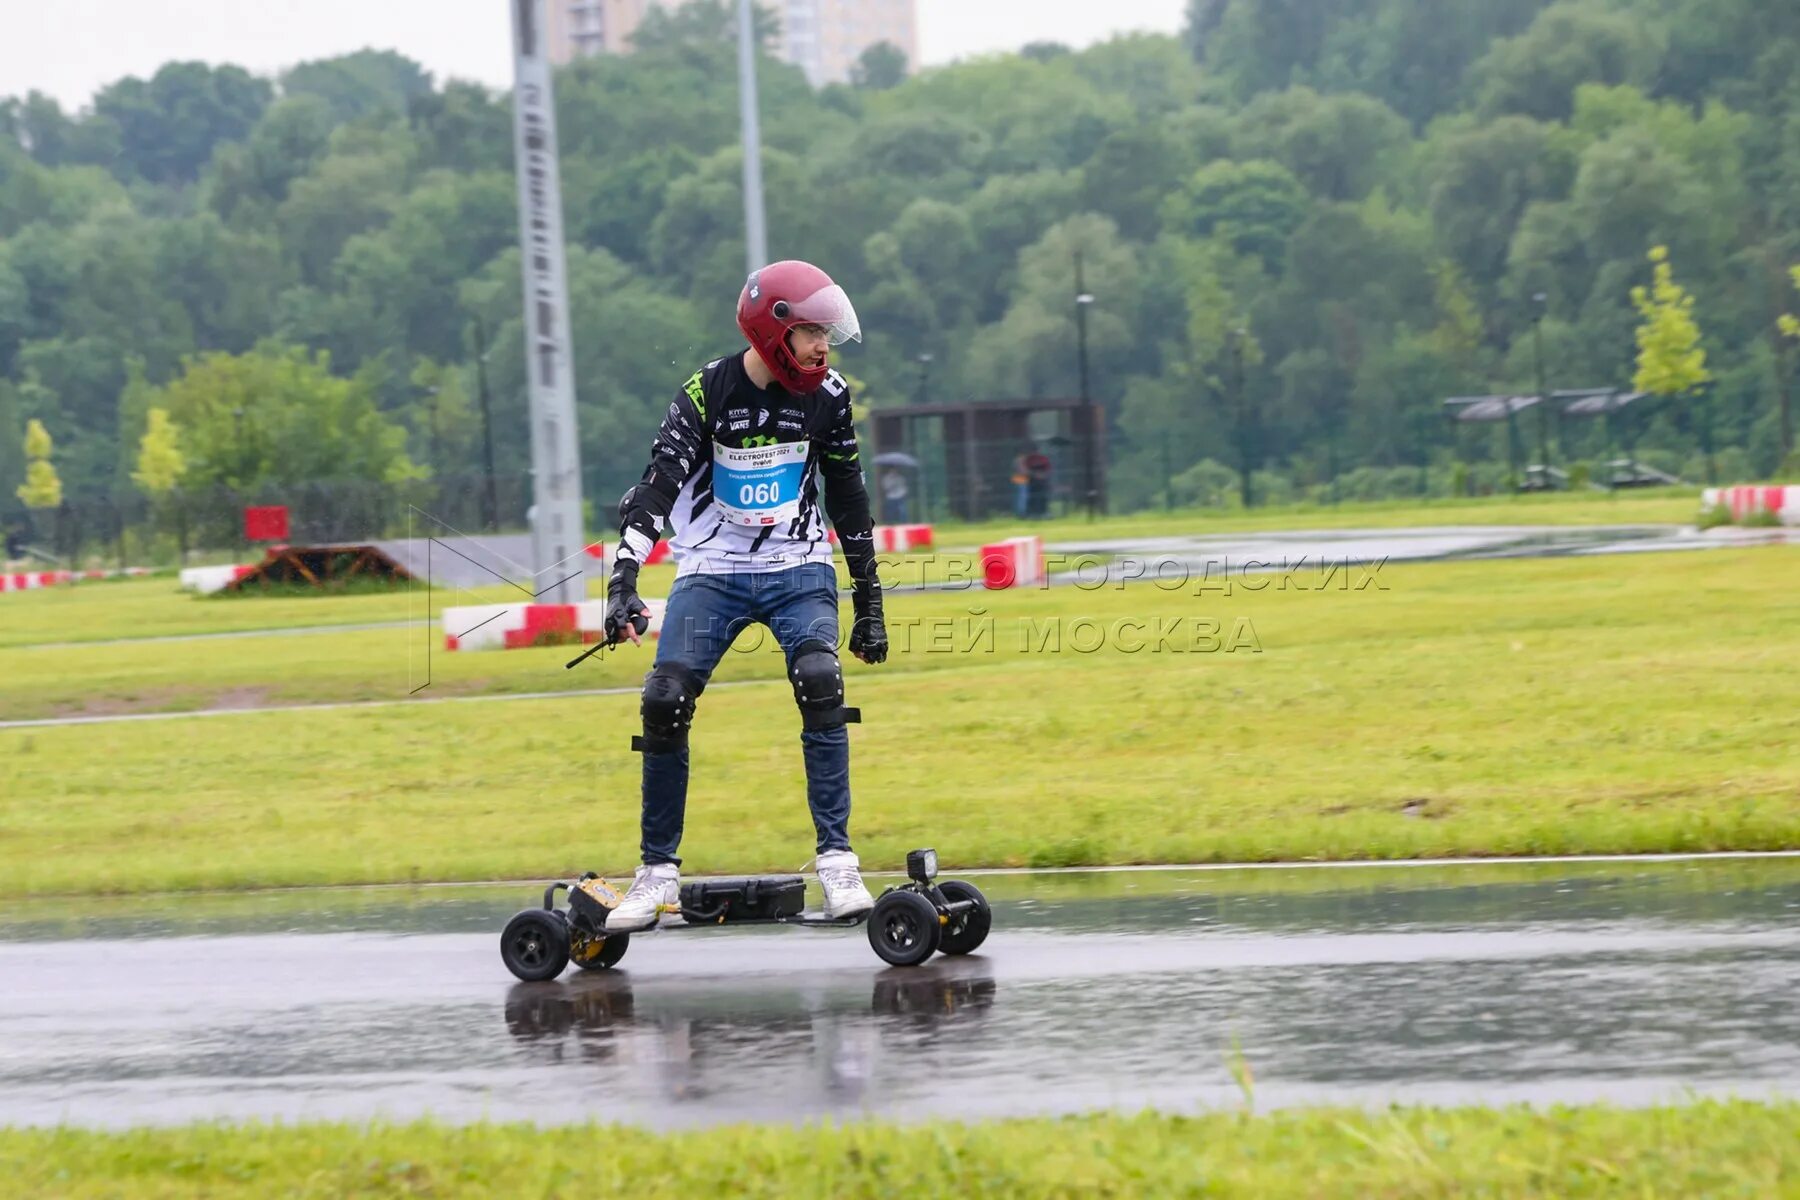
{"type": "Point", "coordinates": [737, 472]}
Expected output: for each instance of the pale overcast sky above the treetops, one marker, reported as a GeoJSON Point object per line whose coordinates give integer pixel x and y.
{"type": "Point", "coordinates": [71, 48]}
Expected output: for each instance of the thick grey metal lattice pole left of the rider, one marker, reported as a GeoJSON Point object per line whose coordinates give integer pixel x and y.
{"type": "Point", "coordinates": [557, 532]}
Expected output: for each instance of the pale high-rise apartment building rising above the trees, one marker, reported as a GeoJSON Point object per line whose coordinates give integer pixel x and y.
{"type": "Point", "coordinates": [823, 39]}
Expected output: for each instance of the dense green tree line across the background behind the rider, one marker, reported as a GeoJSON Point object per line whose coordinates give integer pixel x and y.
{"type": "Point", "coordinates": [1304, 224]}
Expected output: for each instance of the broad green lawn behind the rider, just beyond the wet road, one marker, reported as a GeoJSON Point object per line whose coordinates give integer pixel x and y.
{"type": "Point", "coordinates": [1639, 703]}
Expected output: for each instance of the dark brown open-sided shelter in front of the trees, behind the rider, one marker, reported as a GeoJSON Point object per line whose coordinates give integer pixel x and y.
{"type": "Point", "coordinates": [984, 440]}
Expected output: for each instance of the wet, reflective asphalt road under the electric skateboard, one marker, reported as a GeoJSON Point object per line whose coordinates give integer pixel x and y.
{"type": "Point", "coordinates": [1120, 990]}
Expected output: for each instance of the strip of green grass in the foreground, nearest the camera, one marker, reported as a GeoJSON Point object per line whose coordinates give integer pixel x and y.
{"type": "Point", "coordinates": [1709, 1149]}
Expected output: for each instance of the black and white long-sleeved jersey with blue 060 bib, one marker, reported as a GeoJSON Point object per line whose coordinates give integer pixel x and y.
{"type": "Point", "coordinates": [748, 478]}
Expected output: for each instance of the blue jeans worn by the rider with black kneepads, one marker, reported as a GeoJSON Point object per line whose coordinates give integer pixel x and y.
{"type": "Point", "coordinates": [703, 618]}
